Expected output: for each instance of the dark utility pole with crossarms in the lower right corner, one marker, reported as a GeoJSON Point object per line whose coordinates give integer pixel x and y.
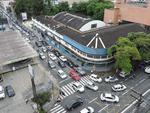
{"type": "Point", "coordinates": [139, 100]}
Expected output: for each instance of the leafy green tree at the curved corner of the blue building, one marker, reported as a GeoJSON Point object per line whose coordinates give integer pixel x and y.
{"type": "Point", "coordinates": [124, 51]}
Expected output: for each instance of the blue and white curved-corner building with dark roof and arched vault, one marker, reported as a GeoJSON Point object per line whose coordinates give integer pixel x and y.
{"type": "Point", "coordinates": [85, 39]}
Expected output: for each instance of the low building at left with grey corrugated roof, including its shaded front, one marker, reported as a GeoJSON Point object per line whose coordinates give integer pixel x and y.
{"type": "Point", "coordinates": [15, 52]}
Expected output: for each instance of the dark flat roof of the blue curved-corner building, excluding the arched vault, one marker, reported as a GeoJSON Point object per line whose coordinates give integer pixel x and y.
{"type": "Point", "coordinates": [104, 37]}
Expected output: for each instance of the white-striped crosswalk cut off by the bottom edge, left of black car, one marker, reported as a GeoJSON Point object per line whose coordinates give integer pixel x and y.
{"type": "Point", "coordinates": [58, 109]}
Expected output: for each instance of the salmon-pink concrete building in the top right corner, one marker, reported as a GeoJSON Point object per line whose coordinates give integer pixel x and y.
{"type": "Point", "coordinates": [137, 11]}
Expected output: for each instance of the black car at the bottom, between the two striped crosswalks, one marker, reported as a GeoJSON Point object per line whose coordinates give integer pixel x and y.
{"type": "Point", "coordinates": [74, 104]}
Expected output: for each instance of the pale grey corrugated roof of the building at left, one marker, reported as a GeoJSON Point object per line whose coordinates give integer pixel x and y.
{"type": "Point", "coordinates": [14, 48]}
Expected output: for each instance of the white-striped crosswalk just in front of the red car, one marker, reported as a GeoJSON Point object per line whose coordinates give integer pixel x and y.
{"type": "Point", "coordinates": [68, 89]}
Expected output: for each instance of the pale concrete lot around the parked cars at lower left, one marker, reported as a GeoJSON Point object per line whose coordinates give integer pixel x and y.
{"type": "Point", "coordinates": [20, 80]}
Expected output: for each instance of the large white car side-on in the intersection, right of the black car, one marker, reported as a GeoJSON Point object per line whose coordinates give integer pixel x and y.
{"type": "Point", "coordinates": [109, 97]}
